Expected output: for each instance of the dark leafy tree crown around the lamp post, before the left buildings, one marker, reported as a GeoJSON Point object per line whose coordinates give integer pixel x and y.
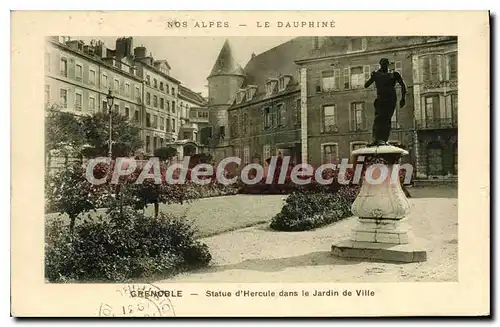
{"type": "Point", "coordinates": [125, 136]}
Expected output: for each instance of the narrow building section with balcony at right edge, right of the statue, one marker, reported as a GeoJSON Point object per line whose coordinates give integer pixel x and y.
{"type": "Point", "coordinates": [435, 94]}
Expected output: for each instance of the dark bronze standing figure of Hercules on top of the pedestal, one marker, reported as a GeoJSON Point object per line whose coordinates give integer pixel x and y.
{"type": "Point", "coordinates": [386, 100]}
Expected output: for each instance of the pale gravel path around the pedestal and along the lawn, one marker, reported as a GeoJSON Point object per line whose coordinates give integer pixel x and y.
{"type": "Point", "coordinates": [258, 254]}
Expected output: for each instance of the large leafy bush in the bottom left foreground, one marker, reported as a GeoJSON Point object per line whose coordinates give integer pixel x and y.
{"type": "Point", "coordinates": [122, 246]}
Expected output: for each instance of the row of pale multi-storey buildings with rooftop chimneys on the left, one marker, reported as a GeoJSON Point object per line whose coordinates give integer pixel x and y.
{"type": "Point", "coordinates": [78, 77]}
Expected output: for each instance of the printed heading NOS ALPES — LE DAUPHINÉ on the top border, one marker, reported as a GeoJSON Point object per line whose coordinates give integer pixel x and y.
{"type": "Point", "coordinates": [259, 24]}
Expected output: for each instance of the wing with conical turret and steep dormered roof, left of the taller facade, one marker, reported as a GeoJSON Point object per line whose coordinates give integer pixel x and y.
{"type": "Point", "coordinates": [259, 103]}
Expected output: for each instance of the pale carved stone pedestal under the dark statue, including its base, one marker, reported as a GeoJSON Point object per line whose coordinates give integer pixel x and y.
{"type": "Point", "coordinates": [381, 232]}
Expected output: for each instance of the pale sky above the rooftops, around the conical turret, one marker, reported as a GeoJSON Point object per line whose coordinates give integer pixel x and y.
{"type": "Point", "coordinates": [192, 58]}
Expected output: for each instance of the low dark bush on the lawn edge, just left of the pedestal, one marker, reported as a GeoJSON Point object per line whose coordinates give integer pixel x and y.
{"type": "Point", "coordinates": [312, 209]}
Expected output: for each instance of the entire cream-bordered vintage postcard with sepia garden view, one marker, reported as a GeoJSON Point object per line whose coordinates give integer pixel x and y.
{"type": "Point", "coordinates": [250, 164]}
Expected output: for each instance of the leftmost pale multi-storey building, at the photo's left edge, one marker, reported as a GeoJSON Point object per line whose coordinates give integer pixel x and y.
{"type": "Point", "coordinates": [78, 78]}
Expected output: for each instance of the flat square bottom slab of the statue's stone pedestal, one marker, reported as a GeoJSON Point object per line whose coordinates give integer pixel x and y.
{"type": "Point", "coordinates": [375, 251]}
